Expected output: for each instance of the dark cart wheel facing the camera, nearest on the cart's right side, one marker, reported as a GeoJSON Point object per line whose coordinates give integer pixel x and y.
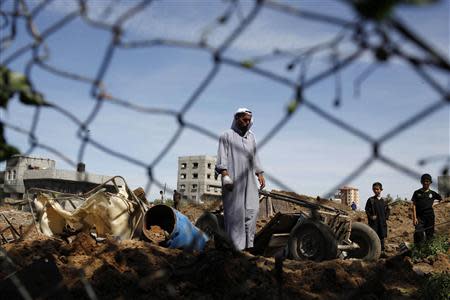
{"type": "Point", "coordinates": [312, 240]}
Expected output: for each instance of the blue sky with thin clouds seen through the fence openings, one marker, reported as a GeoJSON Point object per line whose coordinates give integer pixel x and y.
{"type": "Point", "coordinates": [308, 154]}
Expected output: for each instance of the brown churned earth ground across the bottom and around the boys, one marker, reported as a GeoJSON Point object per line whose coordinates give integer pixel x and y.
{"type": "Point", "coordinates": [109, 269]}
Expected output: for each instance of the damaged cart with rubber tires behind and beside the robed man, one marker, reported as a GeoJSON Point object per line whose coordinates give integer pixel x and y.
{"type": "Point", "coordinates": [322, 233]}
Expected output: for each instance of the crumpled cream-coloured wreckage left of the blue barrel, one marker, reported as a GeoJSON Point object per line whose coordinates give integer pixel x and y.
{"type": "Point", "coordinates": [109, 209]}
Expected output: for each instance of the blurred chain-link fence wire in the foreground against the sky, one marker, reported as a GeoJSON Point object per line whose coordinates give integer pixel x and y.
{"type": "Point", "coordinates": [380, 39]}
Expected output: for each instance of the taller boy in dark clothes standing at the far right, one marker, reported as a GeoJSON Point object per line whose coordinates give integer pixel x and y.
{"type": "Point", "coordinates": [423, 213]}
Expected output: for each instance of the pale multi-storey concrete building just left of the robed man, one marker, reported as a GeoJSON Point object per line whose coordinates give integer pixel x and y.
{"type": "Point", "coordinates": [196, 180]}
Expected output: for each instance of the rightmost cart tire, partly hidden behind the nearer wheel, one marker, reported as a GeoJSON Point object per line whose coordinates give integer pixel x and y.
{"type": "Point", "coordinates": [368, 241]}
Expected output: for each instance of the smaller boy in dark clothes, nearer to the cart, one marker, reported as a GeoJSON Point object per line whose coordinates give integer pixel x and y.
{"type": "Point", "coordinates": [377, 212]}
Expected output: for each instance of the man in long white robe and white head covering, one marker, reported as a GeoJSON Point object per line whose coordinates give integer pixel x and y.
{"type": "Point", "coordinates": [239, 165]}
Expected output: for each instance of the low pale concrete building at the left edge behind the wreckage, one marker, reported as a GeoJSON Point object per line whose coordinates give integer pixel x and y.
{"type": "Point", "coordinates": [24, 172]}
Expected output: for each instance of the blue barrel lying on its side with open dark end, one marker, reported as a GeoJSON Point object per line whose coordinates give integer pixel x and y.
{"type": "Point", "coordinates": [183, 234]}
